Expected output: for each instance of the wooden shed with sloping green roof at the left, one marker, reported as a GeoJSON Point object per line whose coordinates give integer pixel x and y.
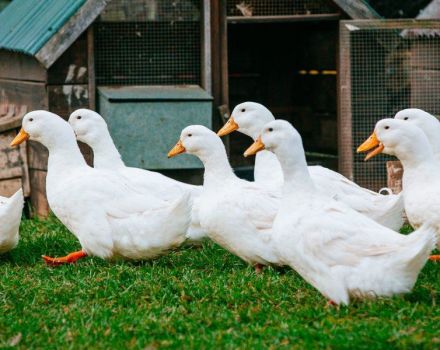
{"type": "Point", "coordinates": [44, 64]}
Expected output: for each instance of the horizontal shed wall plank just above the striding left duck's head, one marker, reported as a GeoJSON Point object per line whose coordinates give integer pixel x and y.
{"type": "Point", "coordinates": [23, 93]}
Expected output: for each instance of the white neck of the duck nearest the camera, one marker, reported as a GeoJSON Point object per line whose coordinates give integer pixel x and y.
{"type": "Point", "coordinates": [295, 172]}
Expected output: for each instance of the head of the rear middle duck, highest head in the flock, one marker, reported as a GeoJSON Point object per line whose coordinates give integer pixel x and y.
{"type": "Point", "coordinates": [248, 118]}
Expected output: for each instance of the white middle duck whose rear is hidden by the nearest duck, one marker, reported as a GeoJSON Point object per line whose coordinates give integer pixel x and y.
{"type": "Point", "coordinates": [237, 214]}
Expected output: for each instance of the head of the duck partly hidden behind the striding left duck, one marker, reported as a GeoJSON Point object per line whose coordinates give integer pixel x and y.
{"type": "Point", "coordinates": [89, 126]}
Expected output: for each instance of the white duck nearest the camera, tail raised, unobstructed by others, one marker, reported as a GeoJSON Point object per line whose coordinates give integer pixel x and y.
{"type": "Point", "coordinates": [340, 252]}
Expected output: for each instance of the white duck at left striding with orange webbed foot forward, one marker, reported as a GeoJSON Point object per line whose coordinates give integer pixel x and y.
{"type": "Point", "coordinates": [109, 215]}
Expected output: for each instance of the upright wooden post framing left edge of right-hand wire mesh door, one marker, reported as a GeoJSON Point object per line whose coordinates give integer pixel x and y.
{"type": "Point", "coordinates": [345, 141]}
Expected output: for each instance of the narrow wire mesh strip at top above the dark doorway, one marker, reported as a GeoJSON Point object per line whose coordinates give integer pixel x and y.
{"type": "Point", "coordinates": [279, 7]}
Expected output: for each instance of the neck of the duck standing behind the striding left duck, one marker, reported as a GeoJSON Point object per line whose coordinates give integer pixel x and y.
{"type": "Point", "coordinates": [106, 155]}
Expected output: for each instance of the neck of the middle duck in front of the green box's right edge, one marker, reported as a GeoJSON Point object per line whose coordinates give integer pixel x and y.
{"type": "Point", "coordinates": [217, 168]}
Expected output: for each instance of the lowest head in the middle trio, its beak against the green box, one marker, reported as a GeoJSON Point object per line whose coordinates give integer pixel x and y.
{"type": "Point", "coordinates": [196, 140]}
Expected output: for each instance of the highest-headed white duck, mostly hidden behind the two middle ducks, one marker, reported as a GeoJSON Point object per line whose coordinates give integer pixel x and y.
{"type": "Point", "coordinates": [250, 117]}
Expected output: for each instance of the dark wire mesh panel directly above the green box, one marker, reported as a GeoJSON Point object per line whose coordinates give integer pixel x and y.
{"type": "Point", "coordinates": [149, 42]}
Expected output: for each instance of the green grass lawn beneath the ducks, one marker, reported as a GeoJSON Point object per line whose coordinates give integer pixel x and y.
{"type": "Point", "coordinates": [192, 298]}
